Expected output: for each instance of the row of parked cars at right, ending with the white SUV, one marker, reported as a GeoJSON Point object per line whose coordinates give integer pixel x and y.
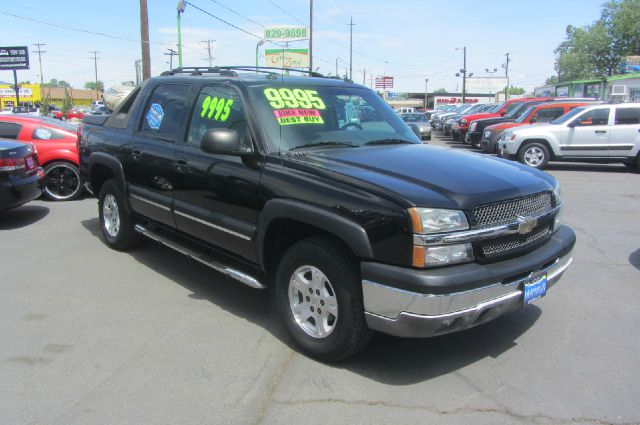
{"type": "Point", "coordinates": [535, 131]}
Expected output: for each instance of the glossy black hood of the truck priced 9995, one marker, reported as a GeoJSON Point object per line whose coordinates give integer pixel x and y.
{"type": "Point", "coordinates": [422, 175]}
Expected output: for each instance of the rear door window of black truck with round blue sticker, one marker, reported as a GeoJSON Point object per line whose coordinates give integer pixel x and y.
{"type": "Point", "coordinates": [166, 112]}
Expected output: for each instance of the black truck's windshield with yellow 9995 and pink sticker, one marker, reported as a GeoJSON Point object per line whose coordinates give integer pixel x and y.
{"type": "Point", "coordinates": [297, 117]}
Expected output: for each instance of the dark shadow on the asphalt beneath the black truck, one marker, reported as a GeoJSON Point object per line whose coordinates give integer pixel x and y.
{"type": "Point", "coordinates": [387, 359]}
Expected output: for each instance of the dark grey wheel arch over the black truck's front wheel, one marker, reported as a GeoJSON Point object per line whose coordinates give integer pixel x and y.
{"type": "Point", "coordinates": [286, 222]}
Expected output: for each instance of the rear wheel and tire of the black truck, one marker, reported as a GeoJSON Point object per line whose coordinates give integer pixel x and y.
{"type": "Point", "coordinates": [116, 218]}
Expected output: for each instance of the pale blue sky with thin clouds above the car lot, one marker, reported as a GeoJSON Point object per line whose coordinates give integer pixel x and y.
{"type": "Point", "coordinates": [411, 40]}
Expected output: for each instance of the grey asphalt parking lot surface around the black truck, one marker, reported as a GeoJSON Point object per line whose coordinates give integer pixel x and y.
{"type": "Point", "coordinates": [94, 336]}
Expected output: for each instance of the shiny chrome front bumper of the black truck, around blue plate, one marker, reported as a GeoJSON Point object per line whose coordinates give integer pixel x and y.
{"type": "Point", "coordinates": [409, 314]}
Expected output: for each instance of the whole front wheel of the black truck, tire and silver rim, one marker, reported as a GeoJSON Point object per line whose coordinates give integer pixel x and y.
{"type": "Point", "coordinates": [319, 297]}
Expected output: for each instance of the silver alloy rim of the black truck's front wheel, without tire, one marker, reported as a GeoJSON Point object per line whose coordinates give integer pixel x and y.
{"type": "Point", "coordinates": [313, 301]}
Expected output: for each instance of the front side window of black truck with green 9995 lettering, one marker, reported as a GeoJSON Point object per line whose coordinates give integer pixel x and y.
{"type": "Point", "coordinates": [216, 107]}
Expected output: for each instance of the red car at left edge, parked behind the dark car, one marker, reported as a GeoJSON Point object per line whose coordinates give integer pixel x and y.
{"type": "Point", "coordinates": [55, 142]}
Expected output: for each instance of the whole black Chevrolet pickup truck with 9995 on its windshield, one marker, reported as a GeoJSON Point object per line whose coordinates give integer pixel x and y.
{"type": "Point", "coordinates": [315, 187]}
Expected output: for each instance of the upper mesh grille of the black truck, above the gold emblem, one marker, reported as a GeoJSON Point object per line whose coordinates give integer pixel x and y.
{"type": "Point", "coordinates": [508, 211]}
